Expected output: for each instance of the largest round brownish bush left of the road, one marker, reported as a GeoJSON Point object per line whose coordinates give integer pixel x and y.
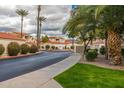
{"type": "Point", "coordinates": [13, 49]}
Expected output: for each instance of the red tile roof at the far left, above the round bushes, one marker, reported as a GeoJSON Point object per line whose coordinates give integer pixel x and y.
{"type": "Point", "coordinates": [10, 36]}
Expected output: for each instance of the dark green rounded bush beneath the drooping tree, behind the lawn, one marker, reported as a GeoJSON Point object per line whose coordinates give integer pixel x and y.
{"type": "Point", "coordinates": [91, 55]}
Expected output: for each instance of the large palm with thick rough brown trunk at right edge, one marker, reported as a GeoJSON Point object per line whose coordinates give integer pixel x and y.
{"type": "Point", "coordinates": [112, 17]}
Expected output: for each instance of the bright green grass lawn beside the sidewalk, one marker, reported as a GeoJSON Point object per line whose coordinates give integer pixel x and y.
{"type": "Point", "coordinates": [90, 76]}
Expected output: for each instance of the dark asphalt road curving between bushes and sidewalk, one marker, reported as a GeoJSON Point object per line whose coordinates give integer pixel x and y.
{"type": "Point", "coordinates": [10, 68]}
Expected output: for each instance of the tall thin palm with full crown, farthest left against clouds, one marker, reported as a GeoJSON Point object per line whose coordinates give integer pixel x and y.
{"type": "Point", "coordinates": [22, 13]}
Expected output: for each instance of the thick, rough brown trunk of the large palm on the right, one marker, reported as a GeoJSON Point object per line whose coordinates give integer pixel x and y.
{"type": "Point", "coordinates": [114, 47]}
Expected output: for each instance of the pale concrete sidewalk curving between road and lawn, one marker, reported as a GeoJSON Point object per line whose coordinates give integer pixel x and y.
{"type": "Point", "coordinates": [43, 77]}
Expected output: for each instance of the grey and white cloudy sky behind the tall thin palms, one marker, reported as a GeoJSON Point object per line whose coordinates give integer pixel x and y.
{"type": "Point", "coordinates": [56, 18]}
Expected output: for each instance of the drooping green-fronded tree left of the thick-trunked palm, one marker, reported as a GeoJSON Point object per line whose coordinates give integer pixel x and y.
{"type": "Point", "coordinates": [82, 24]}
